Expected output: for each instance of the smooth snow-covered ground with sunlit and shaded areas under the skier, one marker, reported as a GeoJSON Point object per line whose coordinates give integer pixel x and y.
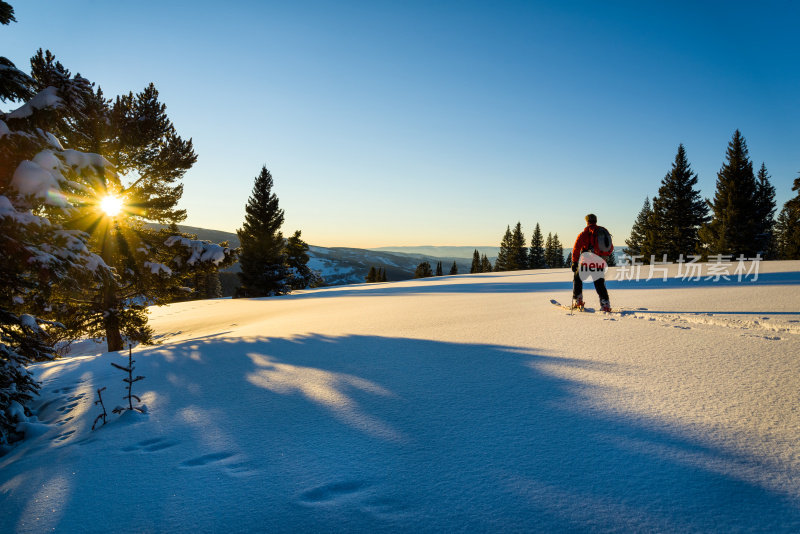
{"type": "Point", "coordinates": [464, 403]}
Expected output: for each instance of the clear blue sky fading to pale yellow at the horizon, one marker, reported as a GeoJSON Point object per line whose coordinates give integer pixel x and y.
{"type": "Point", "coordinates": [440, 123]}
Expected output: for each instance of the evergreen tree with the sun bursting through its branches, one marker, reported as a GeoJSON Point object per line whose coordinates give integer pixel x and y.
{"type": "Point", "coordinates": [152, 265]}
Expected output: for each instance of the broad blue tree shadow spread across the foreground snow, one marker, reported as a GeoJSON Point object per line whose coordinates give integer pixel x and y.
{"type": "Point", "coordinates": [367, 432]}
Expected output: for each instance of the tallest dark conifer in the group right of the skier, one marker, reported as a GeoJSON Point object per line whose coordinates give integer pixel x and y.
{"type": "Point", "coordinates": [734, 226]}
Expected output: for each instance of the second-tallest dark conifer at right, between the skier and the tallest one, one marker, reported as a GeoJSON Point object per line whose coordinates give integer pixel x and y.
{"type": "Point", "coordinates": [678, 211]}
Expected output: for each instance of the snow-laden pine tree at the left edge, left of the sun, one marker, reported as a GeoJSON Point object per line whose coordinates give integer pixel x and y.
{"type": "Point", "coordinates": [39, 184]}
